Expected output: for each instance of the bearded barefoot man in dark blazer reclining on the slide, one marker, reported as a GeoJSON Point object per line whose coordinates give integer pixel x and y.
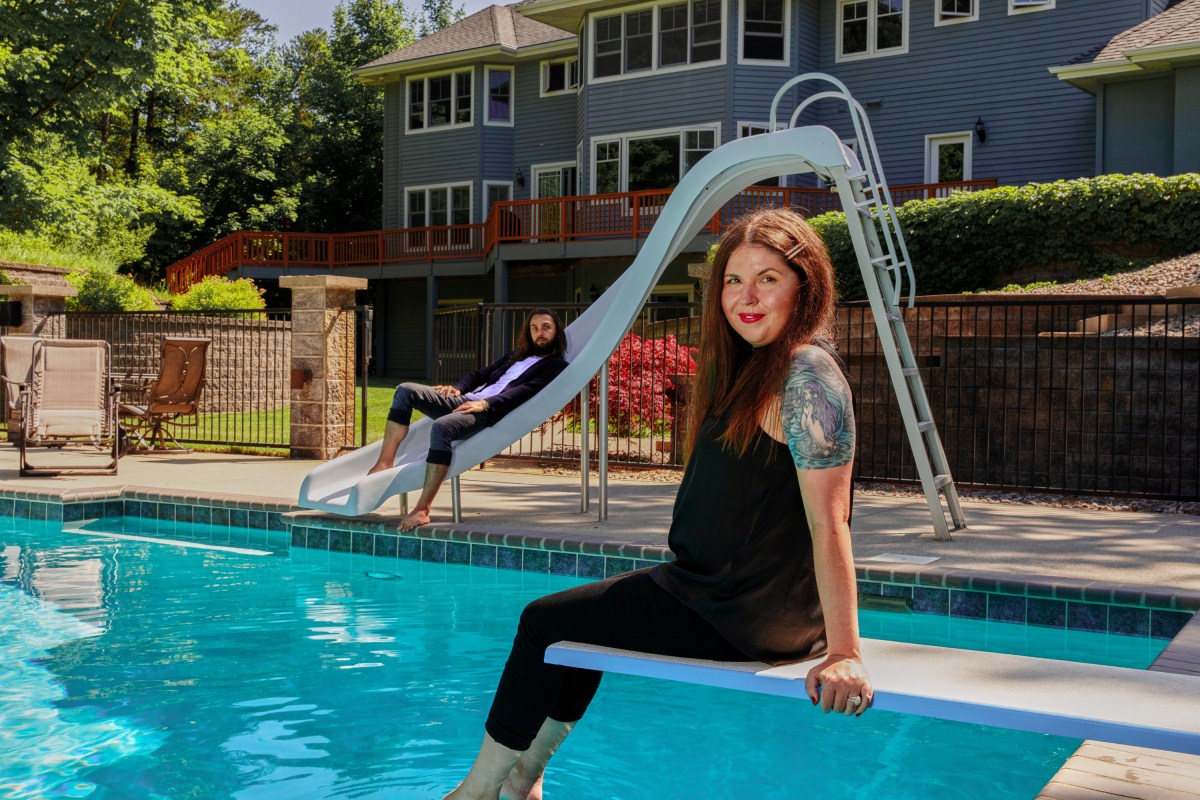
{"type": "Point", "coordinates": [473, 404]}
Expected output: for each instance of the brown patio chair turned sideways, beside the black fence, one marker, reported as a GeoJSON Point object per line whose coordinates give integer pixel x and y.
{"type": "Point", "coordinates": [172, 400]}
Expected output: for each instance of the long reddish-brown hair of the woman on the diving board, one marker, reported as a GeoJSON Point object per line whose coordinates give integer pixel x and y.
{"type": "Point", "coordinates": [734, 380]}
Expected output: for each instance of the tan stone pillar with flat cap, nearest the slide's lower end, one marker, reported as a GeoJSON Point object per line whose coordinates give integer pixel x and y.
{"type": "Point", "coordinates": [322, 364]}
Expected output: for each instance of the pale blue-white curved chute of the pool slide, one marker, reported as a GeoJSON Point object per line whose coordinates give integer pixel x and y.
{"type": "Point", "coordinates": [343, 485]}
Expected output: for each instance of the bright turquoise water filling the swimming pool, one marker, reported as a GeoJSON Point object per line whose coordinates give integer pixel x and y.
{"type": "Point", "coordinates": [146, 670]}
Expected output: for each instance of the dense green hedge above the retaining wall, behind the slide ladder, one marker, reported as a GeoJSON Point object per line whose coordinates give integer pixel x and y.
{"type": "Point", "coordinates": [1079, 228]}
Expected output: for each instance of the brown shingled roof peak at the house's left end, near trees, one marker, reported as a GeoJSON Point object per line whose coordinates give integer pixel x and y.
{"type": "Point", "coordinates": [496, 27]}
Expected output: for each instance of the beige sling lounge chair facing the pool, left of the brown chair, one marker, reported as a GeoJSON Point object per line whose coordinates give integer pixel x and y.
{"type": "Point", "coordinates": [70, 400]}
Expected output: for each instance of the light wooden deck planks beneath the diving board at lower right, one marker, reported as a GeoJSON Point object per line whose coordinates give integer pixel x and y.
{"type": "Point", "coordinates": [1102, 772]}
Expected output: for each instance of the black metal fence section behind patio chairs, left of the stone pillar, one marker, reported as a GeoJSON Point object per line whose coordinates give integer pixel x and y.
{"type": "Point", "coordinates": [247, 398]}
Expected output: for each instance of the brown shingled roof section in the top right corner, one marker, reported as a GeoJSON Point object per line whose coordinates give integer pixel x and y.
{"type": "Point", "coordinates": [1156, 45]}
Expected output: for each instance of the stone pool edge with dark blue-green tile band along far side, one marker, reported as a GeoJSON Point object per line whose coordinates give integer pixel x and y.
{"type": "Point", "coordinates": [1045, 601]}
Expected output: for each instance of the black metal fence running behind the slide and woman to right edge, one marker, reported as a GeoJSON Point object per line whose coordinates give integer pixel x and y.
{"type": "Point", "coordinates": [1097, 395]}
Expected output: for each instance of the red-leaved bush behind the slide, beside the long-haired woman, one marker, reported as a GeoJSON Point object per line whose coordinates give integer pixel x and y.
{"type": "Point", "coordinates": [639, 378]}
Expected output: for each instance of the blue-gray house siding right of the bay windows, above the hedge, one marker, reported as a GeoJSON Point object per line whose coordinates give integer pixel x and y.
{"type": "Point", "coordinates": [1037, 128]}
